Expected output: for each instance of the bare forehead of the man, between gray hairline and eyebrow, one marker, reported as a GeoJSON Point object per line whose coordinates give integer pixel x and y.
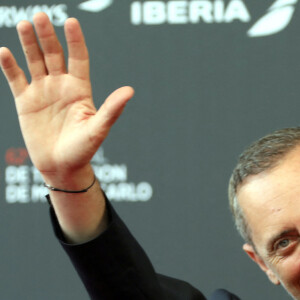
{"type": "Point", "coordinates": [271, 199]}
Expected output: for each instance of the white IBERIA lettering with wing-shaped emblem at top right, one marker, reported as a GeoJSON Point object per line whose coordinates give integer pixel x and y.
{"type": "Point", "coordinates": [276, 19]}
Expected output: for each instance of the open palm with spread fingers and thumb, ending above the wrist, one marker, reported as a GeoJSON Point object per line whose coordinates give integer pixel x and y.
{"type": "Point", "coordinates": [58, 119]}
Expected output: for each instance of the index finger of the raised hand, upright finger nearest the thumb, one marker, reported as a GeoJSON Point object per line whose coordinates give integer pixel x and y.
{"type": "Point", "coordinates": [78, 59]}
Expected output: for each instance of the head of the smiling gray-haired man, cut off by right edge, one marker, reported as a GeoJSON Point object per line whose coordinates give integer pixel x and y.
{"type": "Point", "coordinates": [264, 193]}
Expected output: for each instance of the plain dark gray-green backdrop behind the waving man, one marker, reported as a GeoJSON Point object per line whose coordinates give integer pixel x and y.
{"type": "Point", "coordinates": [203, 93]}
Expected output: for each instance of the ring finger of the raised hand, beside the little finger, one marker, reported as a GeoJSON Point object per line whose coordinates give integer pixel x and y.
{"type": "Point", "coordinates": [31, 49]}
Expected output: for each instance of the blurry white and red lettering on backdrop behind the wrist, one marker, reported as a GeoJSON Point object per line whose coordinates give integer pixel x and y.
{"type": "Point", "coordinates": [24, 183]}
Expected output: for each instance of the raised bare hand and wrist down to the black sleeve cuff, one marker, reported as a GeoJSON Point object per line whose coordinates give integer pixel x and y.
{"type": "Point", "coordinates": [61, 127]}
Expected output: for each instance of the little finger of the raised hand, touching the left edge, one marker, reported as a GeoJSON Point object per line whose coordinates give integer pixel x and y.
{"type": "Point", "coordinates": [13, 73]}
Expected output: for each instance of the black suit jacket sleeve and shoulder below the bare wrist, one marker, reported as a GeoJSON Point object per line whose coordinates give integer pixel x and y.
{"type": "Point", "coordinates": [115, 267]}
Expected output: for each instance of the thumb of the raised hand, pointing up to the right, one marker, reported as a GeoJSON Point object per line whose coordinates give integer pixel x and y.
{"type": "Point", "coordinates": [109, 112]}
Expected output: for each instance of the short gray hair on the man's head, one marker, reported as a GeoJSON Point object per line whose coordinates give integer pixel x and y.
{"type": "Point", "coordinates": [262, 155]}
